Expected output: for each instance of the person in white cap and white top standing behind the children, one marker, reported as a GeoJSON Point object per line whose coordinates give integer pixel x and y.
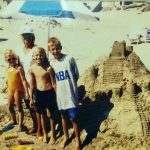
{"type": "Point", "coordinates": [25, 52]}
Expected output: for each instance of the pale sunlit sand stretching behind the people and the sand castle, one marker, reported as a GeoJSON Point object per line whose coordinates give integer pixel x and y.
{"type": "Point", "coordinates": [82, 39]}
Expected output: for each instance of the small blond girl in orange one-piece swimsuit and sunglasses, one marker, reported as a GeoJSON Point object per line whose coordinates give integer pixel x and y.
{"type": "Point", "coordinates": [16, 86]}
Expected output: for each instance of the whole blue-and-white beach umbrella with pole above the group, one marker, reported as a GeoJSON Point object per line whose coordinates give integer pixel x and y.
{"type": "Point", "coordinates": [21, 9]}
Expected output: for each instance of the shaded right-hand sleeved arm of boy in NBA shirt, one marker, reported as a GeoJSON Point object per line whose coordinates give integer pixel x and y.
{"type": "Point", "coordinates": [74, 69]}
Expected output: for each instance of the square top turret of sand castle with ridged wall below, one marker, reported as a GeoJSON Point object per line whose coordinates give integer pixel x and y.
{"type": "Point", "coordinates": [113, 67]}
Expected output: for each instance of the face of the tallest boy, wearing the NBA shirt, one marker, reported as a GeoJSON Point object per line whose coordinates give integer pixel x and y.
{"type": "Point", "coordinates": [55, 51]}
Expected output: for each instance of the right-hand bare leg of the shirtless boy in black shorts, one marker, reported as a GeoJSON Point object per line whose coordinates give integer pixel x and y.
{"type": "Point", "coordinates": [52, 125]}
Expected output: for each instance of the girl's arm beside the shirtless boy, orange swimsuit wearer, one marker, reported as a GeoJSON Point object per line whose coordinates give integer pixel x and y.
{"type": "Point", "coordinates": [24, 81]}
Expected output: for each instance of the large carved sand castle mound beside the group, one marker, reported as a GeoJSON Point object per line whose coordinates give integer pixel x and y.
{"type": "Point", "coordinates": [120, 76]}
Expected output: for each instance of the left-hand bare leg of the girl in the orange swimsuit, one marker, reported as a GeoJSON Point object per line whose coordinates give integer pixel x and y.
{"type": "Point", "coordinates": [11, 101]}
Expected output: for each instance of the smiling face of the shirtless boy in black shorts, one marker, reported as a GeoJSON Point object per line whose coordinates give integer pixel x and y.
{"type": "Point", "coordinates": [39, 56]}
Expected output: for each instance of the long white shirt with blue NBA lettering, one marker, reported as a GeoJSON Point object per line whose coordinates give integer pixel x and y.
{"type": "Point", "coordinates": [66, 74]}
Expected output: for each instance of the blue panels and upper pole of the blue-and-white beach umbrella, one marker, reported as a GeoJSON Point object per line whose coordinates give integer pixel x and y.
{"type": "Point", "coordinates": [47, 8]}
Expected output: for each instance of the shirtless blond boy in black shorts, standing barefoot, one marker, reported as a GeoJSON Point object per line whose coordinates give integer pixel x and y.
{"type": "Point", "coordinates": [43, 85]}
